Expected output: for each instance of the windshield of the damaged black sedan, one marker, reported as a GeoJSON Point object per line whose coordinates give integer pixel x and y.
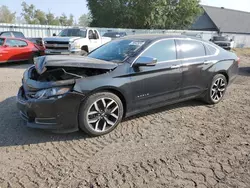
{"type": "Point", "coordinates": [117, 51]}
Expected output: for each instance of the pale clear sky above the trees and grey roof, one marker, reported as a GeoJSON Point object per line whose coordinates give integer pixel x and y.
{"type": "Point", "coordinates": [78, 7]}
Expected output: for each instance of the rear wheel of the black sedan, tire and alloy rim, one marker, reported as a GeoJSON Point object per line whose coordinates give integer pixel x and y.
{"type": "Point", "coordinates": [216, 90]}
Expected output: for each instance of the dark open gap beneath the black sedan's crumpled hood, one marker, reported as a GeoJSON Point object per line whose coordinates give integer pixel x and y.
{"type": "Point", "coordinates": [65, 73]}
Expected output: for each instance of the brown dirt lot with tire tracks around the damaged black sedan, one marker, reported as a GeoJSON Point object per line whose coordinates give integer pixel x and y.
{"type": "Point", "coordinates": [183, 145]}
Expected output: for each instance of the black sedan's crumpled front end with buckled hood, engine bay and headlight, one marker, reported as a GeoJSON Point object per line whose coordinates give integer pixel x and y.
{"type": "Point", "coordinates": [53, 76]}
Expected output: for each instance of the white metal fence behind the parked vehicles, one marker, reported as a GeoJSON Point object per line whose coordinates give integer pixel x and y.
{"type": "Point", "coordinates": [48, 30]}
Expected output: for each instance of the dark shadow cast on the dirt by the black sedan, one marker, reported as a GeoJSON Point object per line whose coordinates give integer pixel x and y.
{"type": "Point", "coordinates": [13, 131]}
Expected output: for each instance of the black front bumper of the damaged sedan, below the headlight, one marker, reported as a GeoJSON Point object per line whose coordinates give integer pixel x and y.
{"type": "Point", "coordinates": [60, 115]}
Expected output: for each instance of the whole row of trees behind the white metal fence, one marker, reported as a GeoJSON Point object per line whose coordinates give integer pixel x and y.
{"type": "Point", "coordinates": [138, 14]}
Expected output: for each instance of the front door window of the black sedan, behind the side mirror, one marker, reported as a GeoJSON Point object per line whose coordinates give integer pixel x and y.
{"type": "Point", "coordinates": [162, 51]}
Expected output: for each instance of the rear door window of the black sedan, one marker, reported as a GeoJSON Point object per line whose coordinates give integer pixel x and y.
{"type": "Point", "coordinates": [191, 49]}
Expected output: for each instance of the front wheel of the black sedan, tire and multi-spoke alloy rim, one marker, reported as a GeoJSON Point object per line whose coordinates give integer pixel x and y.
{"type": "Point", "coordinates": [100, 113]}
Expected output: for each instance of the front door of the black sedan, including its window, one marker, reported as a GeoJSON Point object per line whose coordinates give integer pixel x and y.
{"type": "Point", "coordinates": [158, 84]}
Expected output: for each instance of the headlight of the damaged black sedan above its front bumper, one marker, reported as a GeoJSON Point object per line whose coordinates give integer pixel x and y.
{"type": "Point", "coordinates": [51, 93]}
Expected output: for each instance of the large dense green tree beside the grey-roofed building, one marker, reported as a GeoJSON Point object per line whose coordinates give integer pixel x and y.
{"type": "Point", "coordinates": [146, 14]}
